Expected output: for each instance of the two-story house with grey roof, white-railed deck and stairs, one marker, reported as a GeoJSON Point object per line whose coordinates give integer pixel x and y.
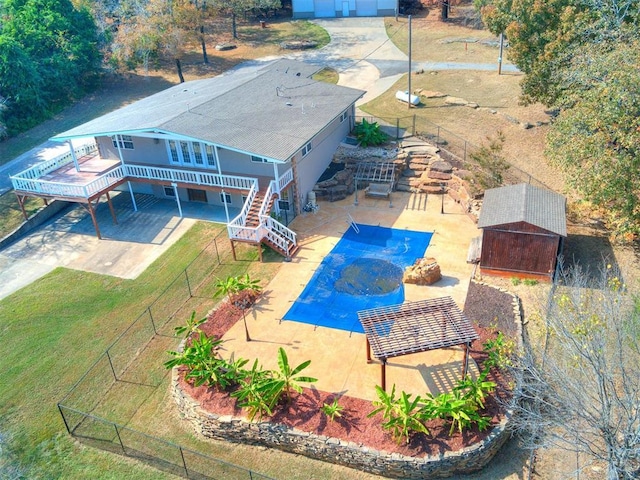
{"type": "Point", "coordinates": [253, 140]}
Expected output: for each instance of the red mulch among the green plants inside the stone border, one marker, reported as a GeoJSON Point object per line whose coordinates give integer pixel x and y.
{"type": "Point", "coordinates": [303, 411]}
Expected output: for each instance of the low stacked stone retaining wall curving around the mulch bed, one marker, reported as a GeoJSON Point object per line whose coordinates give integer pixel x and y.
{"type": "Point", "coordinates": [350, 454]}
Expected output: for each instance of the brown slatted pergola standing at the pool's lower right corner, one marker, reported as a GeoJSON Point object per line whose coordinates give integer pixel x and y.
{"type": "Point", "coordinates": [415, 327]}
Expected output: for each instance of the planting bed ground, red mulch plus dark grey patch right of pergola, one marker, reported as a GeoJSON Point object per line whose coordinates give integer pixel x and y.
{"type": "Point", "coordinates": [487, 307]}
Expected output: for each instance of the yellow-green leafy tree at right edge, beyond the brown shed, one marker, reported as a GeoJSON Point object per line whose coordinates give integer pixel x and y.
{"type": "Point", "coordinates": [596, 137]}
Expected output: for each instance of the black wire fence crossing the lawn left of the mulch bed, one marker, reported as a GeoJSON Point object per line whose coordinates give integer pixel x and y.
{"type": "Point", "coordinates": [132, 368]}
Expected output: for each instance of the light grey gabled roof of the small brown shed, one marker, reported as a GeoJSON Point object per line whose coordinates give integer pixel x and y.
{"type": "Point", "coordinates": [524, 203]}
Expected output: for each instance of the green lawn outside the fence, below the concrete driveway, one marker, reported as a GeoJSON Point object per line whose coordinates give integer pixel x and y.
{"type": "Point", "coordinates": [50, 334]}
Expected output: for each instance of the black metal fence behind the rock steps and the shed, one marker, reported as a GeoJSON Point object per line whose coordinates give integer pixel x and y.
{"type": "Point", "coordinates": [452, 146]}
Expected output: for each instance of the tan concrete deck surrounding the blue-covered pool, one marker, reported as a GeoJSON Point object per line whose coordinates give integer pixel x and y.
{"type": "Point", "coordinates": [338, 358]}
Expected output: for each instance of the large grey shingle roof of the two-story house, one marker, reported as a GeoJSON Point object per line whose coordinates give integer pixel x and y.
{"type": "Point", "coordinates": [270, 112]}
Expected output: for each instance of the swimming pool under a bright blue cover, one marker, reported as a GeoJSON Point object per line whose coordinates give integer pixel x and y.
{"type": "Point", "coordinates": [364, 270]}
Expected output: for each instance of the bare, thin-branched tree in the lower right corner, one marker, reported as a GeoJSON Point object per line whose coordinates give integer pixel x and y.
{"type": "Point", "coordinates": [578, 387]}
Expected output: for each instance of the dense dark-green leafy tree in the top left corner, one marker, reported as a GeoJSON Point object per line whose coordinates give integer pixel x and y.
{"type": "Point", "coordinates": [48, 56]}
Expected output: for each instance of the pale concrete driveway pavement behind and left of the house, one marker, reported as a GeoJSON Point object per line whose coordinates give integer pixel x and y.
{"type": "Point", "coordinates": [359, 50]}
